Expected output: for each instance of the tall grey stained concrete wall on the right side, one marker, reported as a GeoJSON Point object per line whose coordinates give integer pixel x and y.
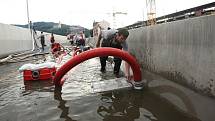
{"type": "Point", "coordinates": [182, 51]}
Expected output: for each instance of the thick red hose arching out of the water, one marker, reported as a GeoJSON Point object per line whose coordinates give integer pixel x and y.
{"type": "Point", "coordinates": [98, 52]}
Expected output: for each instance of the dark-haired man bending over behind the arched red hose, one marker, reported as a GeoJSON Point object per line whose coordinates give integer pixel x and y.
{"type": "Point", "coordinates": [115, 39]}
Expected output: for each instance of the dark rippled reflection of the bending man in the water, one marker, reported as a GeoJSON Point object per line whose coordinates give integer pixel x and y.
{"type": "Point", "coordinates": [118, 106]}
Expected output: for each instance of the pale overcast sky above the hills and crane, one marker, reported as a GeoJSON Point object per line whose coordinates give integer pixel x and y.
{"type": "Point", "coordinates": [84, 12]}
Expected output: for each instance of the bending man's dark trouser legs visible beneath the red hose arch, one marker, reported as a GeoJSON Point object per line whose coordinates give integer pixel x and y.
{"type": "Point", "coordinates": [117, 63]}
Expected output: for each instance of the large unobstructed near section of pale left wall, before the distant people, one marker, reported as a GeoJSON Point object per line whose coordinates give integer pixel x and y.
{"type": "Point", "coordinates": [14, 39]}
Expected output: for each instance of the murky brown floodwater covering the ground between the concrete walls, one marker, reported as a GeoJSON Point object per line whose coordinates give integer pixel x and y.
{"type": "Point", "coordinates": [41, 101]}
